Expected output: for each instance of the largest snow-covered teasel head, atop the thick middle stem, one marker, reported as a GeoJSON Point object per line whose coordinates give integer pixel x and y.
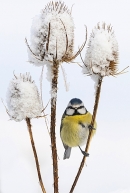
{"type": "Point", "coordinates": [52, 35]}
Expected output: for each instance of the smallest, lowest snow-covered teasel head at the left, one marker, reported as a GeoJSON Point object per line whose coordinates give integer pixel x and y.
{"type": "Point", "coordinates": [23, 98]}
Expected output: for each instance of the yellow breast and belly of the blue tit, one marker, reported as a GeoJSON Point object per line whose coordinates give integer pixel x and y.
{"type": "Point", "coordinates": [72, 133]}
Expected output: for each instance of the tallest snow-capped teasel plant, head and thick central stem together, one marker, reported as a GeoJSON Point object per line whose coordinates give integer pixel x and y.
{"type": "Point", "coordinates": [52, 42]}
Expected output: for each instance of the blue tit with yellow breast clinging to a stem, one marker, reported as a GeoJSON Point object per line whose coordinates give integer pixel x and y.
{"type": "Point", "coordinates": [75, 126]}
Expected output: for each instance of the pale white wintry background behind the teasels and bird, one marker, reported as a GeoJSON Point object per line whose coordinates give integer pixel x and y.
{"type": "Point", "coordinates": [108, 167]}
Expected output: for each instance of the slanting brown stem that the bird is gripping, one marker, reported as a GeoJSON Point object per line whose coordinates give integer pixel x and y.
{"type": "Point", "coordinates": [90, 133]}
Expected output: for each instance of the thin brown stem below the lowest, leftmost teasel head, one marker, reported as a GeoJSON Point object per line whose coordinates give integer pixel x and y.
{"type": "Point", "coordinates": [35, 154]}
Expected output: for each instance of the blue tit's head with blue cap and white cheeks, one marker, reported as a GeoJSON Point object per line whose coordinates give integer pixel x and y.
{"type": "Point", "coordinates": [75, 107]}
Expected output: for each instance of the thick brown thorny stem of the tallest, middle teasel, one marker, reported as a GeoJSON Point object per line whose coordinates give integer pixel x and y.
{"type": "Point", "coordinates": [53, 123]}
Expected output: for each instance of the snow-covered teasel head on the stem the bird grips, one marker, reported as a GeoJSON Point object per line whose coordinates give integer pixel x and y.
{"type": "Point", "coordinates": [102, 53]}
